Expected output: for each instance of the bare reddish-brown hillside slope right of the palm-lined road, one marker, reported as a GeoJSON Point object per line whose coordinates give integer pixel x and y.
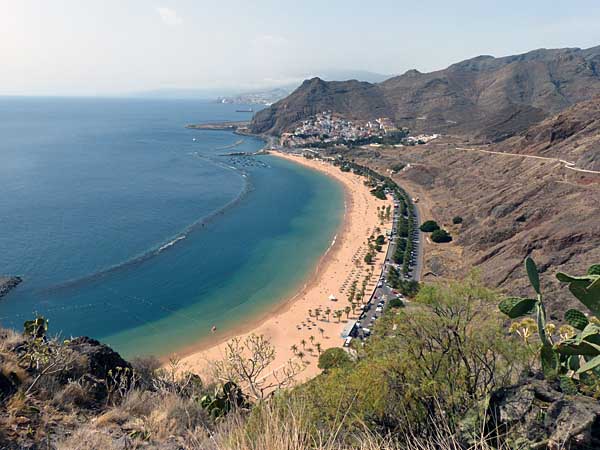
{"type": "Point", "coordinates": [513, 203]}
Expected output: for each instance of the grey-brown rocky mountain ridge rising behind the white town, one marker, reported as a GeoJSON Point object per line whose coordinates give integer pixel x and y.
{"type": "Point", "coordinates": [485, 97]}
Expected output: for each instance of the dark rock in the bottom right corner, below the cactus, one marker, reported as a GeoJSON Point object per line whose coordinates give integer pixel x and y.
{"type": "Point", "coordinates": [537, 414]}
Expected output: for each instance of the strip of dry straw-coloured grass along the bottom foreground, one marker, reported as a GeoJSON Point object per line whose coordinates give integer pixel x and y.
{"type": "Point", "coordinates": [166, 421]}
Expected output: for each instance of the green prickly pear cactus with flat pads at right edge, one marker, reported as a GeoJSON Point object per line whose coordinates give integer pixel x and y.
{"type": "Point", "coordinates": [571, 356]}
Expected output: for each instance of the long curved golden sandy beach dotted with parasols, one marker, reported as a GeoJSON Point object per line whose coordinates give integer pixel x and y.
{"type": "Point", "coordinates": [294, 321]}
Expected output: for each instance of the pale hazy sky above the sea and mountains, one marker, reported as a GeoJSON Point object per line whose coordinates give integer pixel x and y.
{"type": "Point", "coordinates": [116, 47]}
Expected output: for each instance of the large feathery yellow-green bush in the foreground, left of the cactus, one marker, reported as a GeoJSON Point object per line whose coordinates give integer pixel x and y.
{"type": "Point", "coordinates": [425, 365]}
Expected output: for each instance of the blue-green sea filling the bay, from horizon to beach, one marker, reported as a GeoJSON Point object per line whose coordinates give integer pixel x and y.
{"type": "Point", "coordinates": [132, 229]}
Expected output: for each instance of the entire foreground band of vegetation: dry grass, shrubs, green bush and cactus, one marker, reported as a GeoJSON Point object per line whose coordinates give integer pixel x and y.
{"type": "Point", "coordinates": [422, 378]}
